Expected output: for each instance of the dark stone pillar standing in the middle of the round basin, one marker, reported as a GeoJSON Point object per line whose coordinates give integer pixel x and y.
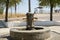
{"type": "Point", "coordinates": [30, 17]}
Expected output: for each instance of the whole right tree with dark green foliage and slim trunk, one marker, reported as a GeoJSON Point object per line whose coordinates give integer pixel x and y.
{"type": "Point", "coordinates": [51, 3]}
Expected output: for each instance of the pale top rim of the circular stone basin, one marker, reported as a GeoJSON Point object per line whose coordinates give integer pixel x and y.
{"type": "Point", "coordinates": [29, 31]}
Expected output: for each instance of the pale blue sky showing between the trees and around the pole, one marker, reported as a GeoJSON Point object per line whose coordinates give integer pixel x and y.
{"type": "Point", "coordinates": [23, 7]}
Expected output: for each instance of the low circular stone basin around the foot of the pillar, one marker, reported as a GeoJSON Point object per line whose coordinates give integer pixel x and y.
{"type": "Point", "coordinates": [22, 34]}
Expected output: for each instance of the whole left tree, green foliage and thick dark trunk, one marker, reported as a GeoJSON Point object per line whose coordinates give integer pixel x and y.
{"type": "Point", "coordinates": [8, 3]}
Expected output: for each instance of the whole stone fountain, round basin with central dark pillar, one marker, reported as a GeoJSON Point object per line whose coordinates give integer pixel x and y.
{"type": "Point", "coordinates": [30, 32]}
